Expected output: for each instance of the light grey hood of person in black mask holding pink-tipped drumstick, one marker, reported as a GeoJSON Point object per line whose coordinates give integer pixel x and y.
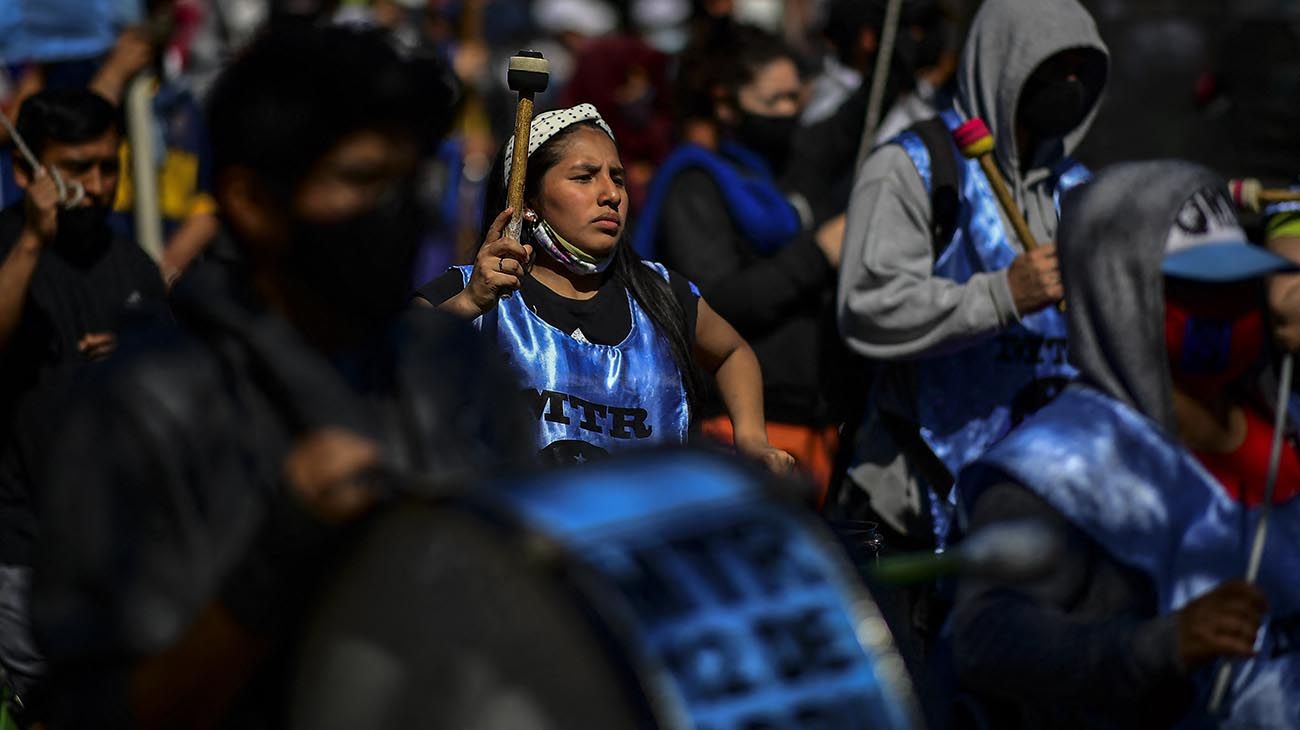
{"type": "Point", "coordinates": [1007, 42]}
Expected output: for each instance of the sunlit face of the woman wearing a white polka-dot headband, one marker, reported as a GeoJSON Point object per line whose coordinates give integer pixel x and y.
{"type": "Point", "coordinates": [583, 195]}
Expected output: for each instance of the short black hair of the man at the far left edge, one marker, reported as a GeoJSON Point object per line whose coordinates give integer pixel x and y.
{"type": "Point", "coordinates": [64, 116]}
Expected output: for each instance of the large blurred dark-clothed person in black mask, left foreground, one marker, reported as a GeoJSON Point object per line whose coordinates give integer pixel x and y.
{"type": "Point", "coordinates": [209, 481]}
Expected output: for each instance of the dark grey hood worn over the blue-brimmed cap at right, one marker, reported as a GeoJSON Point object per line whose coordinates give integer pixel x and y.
{"type": "Point", "coordinates": [1115, 236]}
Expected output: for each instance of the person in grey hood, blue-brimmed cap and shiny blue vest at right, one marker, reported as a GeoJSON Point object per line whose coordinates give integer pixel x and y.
{"type": "Point", "coordinates": [1152, 470]}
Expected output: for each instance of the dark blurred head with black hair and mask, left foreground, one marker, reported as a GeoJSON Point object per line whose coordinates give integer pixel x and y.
{"type": "Point", "coordinates": [332, 246]}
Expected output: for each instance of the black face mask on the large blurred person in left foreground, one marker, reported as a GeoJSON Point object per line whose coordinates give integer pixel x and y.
{"type": "Point", "coordinates": [362, 267]}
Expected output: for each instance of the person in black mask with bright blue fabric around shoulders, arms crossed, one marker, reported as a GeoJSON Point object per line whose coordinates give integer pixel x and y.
{"type": "Point", "coordinates": [718, 214]}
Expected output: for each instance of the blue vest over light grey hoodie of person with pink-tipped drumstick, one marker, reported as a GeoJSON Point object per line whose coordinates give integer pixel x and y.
{"type": "Point", "coordinates": [972, 398]}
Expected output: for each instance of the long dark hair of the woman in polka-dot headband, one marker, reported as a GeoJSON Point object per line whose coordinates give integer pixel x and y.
{"type": "Point", "coordinates": [647, 286]}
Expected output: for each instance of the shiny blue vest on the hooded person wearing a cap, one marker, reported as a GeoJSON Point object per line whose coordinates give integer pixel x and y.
{"type": "Point", "coordinates": [1145, 499]}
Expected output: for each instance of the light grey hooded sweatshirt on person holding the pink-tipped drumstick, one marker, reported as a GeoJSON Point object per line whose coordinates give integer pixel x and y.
{"type": "Point", "coordinates": [890, 305]}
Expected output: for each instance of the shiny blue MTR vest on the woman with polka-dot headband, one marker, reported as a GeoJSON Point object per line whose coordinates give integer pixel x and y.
{"type": "Point", "coordinates": [588, 398]}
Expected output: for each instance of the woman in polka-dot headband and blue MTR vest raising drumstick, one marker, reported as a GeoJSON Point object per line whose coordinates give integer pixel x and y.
{"type": "Point", "coordinates": [606, 344]}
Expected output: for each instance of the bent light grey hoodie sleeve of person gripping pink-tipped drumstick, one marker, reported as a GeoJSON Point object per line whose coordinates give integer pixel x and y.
{"type": "Point", "coordinates": [890, 305]}
